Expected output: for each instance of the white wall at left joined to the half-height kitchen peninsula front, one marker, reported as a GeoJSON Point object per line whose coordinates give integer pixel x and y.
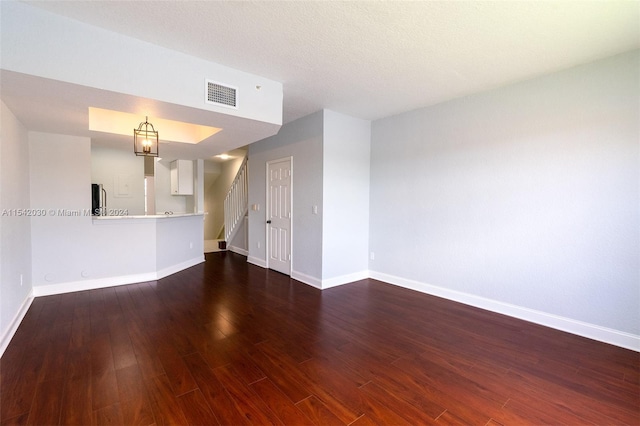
{"type": "Point", "coordinates": [77, 252]}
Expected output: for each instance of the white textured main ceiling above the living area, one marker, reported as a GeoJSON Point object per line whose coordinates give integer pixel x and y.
{"type": "Point", "coordinates": [375, 59]}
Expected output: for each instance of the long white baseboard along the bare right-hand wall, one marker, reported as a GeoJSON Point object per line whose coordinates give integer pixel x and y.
{"type": "Point", "coordinates": [591, 331]}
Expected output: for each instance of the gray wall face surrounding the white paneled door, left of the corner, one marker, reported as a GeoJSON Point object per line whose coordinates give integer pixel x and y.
{"type": "Point", "coordinates": [301, 139]}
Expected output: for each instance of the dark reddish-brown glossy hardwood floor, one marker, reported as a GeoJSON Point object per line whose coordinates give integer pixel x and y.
{"type": "Point", "coordinates": [226, 342]}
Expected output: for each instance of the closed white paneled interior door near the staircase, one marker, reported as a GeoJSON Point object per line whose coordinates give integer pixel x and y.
{"type": "Point", "coordinates": [279, 215]}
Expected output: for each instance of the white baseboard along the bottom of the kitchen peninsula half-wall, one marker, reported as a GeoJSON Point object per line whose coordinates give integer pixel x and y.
{"type": "Point", "coordinates": [69, 287]}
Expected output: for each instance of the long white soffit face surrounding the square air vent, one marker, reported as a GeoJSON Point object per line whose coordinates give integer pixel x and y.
{"type": "Point", "coordinates": [40, 43]}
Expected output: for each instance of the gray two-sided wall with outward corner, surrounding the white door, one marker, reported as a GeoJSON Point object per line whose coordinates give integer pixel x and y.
{"type": "Point", "coordinates": [331, 171]}
